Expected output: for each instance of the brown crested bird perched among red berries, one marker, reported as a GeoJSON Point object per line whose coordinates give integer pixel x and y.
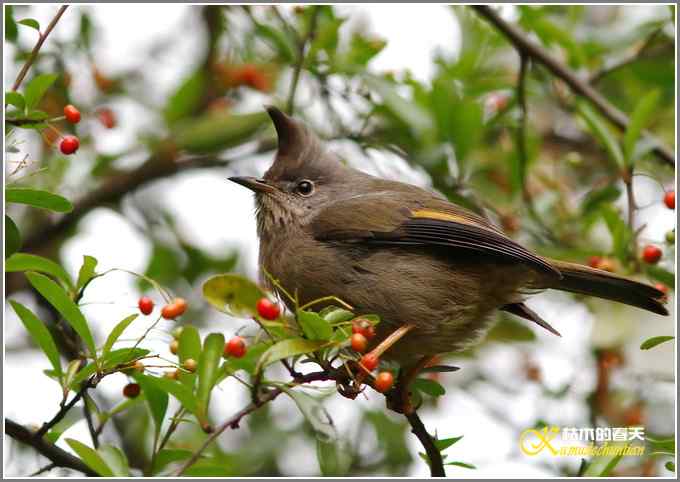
{"type": "Point", "coordinates": [434, 272]}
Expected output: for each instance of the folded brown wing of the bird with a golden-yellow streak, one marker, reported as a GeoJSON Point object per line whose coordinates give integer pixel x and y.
{"type": "Point", "coordinates": [410, 219]}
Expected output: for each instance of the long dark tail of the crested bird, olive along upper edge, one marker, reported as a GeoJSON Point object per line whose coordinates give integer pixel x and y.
{"type": "Point", "coordinates": [584, 280]}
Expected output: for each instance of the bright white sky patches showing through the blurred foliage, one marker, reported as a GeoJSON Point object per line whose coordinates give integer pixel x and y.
{"type": "Point", "coordinates": [218, 216]}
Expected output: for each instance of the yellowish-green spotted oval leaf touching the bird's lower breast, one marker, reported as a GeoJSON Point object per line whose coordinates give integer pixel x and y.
{"type": "Point", "coordinates": [232, 294]}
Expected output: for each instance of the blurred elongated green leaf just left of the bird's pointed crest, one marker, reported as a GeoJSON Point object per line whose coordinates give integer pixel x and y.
{"type": "Point", "coordinates": [217, 131]}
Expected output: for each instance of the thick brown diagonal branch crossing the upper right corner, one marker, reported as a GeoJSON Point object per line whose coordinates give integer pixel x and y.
{"type": "Point", "coordinates": [521, 42]}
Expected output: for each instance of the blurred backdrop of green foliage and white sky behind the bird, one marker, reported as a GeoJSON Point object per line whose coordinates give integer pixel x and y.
{"type": "Point", "coordinates": [426, 94]}
